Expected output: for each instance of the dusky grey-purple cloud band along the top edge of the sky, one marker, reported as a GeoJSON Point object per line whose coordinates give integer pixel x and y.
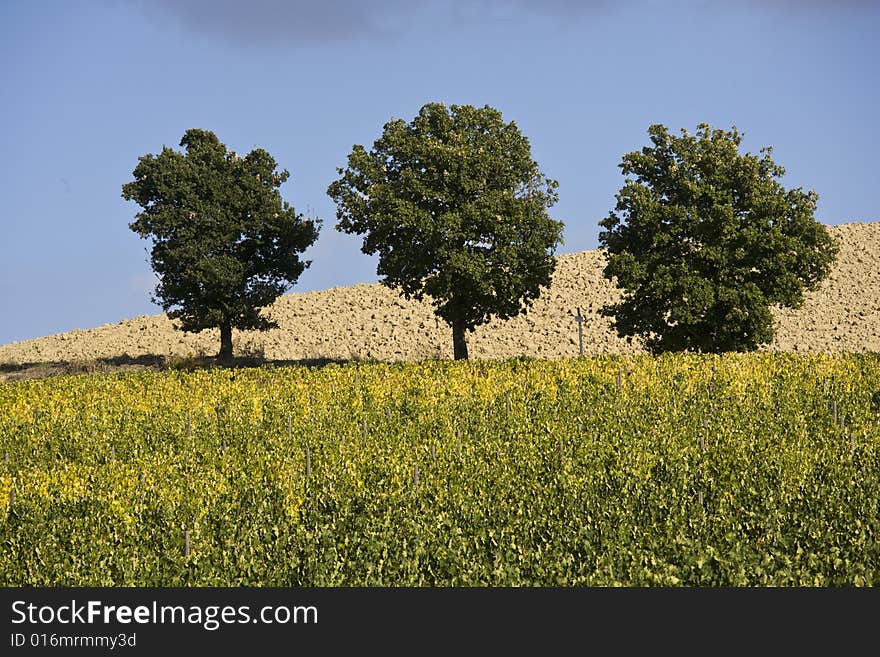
{"type": "Point", "coordinates": [304, 22]}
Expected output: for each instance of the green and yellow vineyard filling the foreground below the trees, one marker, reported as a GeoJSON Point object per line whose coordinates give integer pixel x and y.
{"type": "Point", "coordinates": [679, 470]}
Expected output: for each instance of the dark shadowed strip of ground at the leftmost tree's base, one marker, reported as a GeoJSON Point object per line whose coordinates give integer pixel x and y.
{"type": "Point", "coordinates": [42, 370]}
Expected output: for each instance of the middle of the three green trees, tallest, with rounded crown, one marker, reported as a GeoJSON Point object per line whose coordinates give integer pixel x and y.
{"type": "Point", "coordinates": [457, 211]}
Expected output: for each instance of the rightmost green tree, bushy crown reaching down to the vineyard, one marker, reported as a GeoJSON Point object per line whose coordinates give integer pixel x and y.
{"type": "Point", "coordinates": [704, 240]}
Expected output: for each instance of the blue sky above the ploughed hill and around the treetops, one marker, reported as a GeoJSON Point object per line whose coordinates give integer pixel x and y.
{"type": "Point", "coordinates": [89, 86]}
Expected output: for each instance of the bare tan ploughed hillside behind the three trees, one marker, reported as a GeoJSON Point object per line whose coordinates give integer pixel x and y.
{"type": "Point", "coordinates": [372, 322]}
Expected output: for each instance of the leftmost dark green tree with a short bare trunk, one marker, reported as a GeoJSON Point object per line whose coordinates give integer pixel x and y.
{"type": "Point", "coordinates": [225, 244]}
